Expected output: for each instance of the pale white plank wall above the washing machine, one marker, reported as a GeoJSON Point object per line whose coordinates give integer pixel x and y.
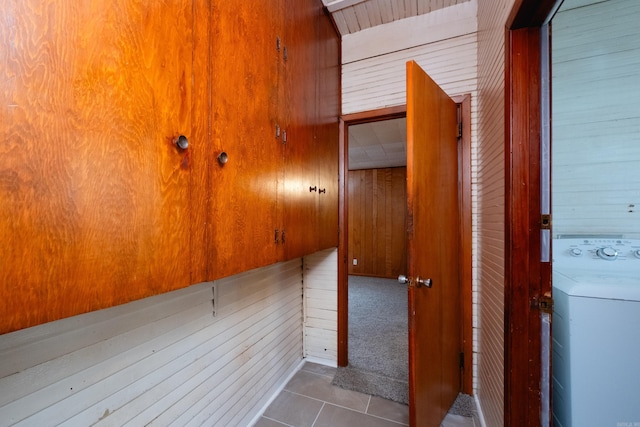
{"type": "Point", "coordinates": [596, 119]}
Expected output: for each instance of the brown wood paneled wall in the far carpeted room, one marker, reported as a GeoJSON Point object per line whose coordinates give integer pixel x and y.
{"type": "Point", "coordinates": [377, 222]}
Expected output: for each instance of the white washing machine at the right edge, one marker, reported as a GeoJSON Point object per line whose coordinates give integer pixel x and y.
{"type": "Point", "coordinates": [596, 332]}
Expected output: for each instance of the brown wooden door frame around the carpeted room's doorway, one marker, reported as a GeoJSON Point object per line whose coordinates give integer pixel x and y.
{"type": "Point", "coordinates": [464, 102]}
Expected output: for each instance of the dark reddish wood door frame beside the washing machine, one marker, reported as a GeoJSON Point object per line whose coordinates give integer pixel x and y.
{"type": "Point", "coordinates": [527, 277]}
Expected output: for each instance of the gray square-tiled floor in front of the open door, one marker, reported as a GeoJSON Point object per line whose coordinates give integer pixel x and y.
{"type": "Point", "coordinates": [310, 400]}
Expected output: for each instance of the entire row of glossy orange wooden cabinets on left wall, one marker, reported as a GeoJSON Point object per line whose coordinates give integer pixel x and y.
{"type": "Point", "coordinates": [99, 204]}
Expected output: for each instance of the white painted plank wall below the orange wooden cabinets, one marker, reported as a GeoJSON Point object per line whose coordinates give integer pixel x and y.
{"type": "Point", "coordinates": [164, 360]}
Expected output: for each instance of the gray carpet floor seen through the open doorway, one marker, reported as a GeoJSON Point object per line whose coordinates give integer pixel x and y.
{"type": "Point", "coordinates": [378, 343]}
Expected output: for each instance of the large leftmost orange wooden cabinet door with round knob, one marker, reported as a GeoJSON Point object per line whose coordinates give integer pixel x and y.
{"type": "Point", "coordinates": [94, 194]}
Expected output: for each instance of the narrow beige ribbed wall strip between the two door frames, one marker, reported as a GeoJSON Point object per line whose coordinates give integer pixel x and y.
{"type": "Point", "coordinates": [490, 210]}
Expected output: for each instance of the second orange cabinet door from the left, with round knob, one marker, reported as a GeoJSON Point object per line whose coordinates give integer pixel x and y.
{"type": "Point", "coordinates": [244, 191]}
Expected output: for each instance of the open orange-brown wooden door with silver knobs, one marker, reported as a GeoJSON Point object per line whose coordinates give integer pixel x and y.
{"type": "Point", "coordinates": [433, 249]}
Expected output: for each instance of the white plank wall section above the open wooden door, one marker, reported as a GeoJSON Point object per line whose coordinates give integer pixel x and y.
{"type": "Point", "coordinates": [442, 42]}
